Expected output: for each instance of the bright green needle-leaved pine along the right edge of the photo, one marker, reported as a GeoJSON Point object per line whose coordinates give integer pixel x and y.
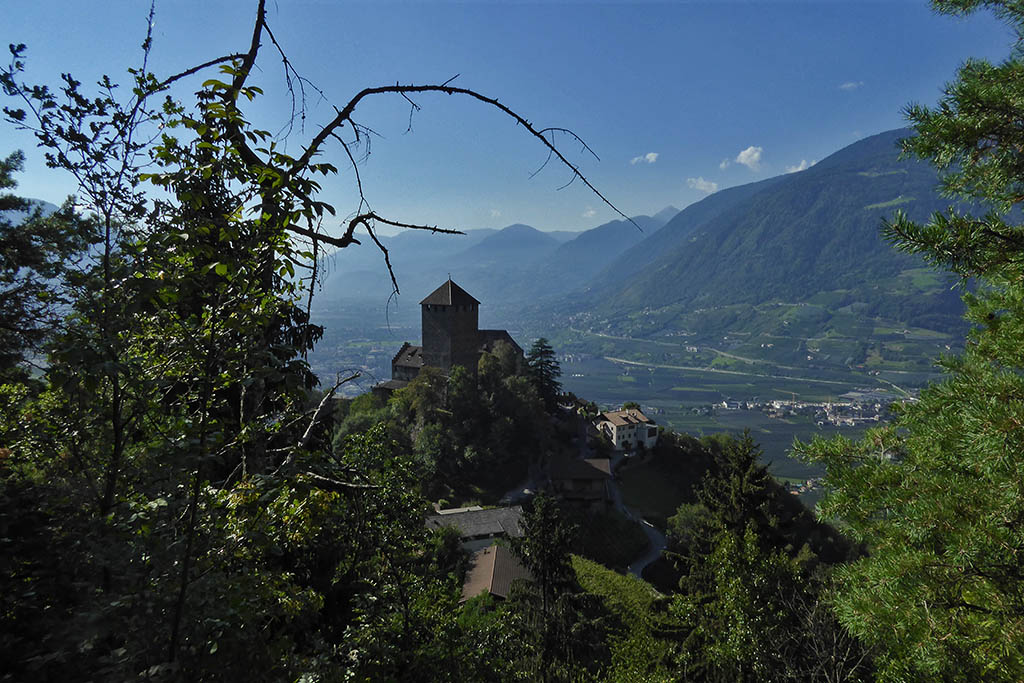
{"type": "Point", "coordinates": [937, 496]}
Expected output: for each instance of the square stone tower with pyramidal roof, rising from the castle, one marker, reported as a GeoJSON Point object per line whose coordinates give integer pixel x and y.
{"type": "Point", "coordinates": [451, 334]}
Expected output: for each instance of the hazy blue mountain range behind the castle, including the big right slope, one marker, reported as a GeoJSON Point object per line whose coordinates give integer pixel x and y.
{"type": "Point", "coordinates": [812, 238]}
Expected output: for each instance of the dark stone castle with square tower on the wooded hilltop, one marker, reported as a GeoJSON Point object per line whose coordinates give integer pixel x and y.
{"type": "Point", "coordinates": [451, 337]}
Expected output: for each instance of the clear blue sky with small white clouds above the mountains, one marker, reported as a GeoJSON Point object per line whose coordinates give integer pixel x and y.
{"type": "Point", "coordinates": [677, 100]}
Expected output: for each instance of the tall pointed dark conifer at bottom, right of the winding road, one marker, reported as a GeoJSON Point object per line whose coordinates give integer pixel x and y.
{"type": "Point", "coordinates": [730, 607]}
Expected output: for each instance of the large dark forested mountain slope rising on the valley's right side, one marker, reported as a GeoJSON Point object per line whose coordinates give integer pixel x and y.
{"type": "Point", "coordinates": [808, 237]}
